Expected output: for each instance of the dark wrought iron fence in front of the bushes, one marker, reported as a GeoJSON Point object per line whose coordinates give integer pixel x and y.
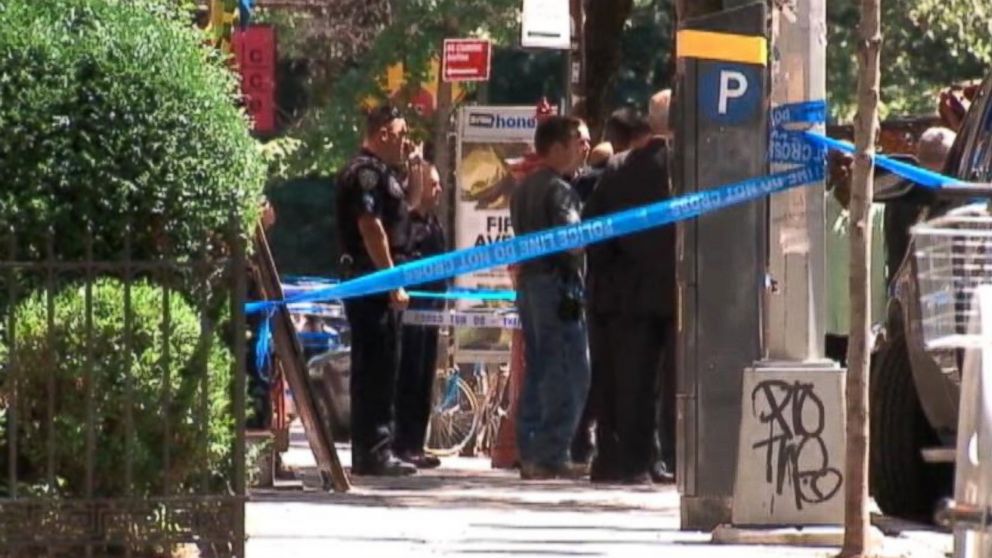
{"type": "Point", "coordinates": [122, 401]}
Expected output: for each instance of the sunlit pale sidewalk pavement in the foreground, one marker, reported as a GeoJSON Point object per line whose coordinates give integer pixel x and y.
{"type": "Point", "coordinates": [466, 509]}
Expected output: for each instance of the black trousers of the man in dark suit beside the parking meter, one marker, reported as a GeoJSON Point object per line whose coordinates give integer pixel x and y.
{"type": "Point", "coordinates": [630, 349]}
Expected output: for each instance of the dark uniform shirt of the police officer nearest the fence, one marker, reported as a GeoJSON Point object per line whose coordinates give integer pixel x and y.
{"type": "Point", "coordinates": [368, 187]}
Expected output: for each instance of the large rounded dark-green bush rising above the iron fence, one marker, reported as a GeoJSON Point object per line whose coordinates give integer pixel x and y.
{"type": "Point", "coordinates": [116, 113]}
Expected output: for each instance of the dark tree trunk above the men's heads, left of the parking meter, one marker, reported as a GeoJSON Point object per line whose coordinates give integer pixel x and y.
{"type": "Point", "coordinates": [603, 27]}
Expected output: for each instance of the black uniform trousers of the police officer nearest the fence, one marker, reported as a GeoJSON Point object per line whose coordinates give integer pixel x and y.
{"type": "Point", "coordinates": [375, 352]}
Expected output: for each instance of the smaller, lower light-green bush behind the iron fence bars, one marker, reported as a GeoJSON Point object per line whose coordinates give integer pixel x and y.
{"type": "Point", "coordinates": [198, 450]}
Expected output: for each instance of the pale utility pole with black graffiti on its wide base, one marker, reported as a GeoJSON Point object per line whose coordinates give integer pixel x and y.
{"type": "Point", "coordinates": [794, 297]}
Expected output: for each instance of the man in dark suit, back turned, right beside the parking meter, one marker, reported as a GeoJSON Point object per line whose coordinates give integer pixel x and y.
{"type": "Point", "coordinates": [631, 285]}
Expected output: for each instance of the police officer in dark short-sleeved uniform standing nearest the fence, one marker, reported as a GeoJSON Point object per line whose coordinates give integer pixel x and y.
{"type": "Point", "coordinates": [374, 228]}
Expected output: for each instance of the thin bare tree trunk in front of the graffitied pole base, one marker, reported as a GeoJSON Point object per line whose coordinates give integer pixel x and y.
{"type": "Point", "coordinates": [856, 520]}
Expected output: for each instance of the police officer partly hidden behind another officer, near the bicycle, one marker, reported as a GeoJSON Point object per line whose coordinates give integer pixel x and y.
{"type": "Point", "coordinates": [418, 364]}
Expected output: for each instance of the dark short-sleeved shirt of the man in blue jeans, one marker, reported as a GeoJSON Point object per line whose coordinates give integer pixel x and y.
{"type": "Point", "coordinates": [542, 201]}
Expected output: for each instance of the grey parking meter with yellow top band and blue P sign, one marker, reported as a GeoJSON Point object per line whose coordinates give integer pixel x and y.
{"type": "Point", "coordinates": [718, 322]}
